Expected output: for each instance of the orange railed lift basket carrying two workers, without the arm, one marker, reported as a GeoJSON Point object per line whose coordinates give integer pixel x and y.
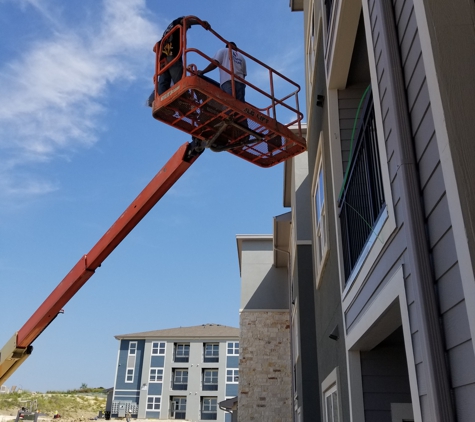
{"type": "Point", "coordinates": [199, 107]}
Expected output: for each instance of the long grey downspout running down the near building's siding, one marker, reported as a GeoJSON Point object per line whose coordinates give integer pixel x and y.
{"type": "Point", "coordinates": [417, 257]}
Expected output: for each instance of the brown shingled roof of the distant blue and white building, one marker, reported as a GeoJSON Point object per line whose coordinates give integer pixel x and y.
{"type": "Point", "coordinates": [208, 331]}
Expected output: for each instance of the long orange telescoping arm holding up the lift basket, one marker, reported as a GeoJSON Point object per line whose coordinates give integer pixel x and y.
{"type": "Point", "coordinates": [19, 347]}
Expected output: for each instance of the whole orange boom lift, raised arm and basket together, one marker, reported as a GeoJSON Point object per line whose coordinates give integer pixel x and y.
{"type": "Point", "coordinates": [217, 121]}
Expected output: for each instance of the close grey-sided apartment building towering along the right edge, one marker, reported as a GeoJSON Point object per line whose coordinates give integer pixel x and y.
{"type": "Point", "coordinates": [378, 246]}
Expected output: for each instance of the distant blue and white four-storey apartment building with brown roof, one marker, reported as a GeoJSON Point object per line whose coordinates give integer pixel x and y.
{"type": "Point", "coordinates": [178, 373]}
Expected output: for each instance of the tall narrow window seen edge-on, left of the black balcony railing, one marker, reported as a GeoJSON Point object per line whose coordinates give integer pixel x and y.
{"type": "Point", "coordinates": [320, 218]}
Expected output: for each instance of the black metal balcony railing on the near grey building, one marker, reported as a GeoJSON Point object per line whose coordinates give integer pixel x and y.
{"type": "Point", "coordinates": [362, 198]}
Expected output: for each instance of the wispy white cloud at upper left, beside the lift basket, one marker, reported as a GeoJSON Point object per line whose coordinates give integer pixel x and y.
{"type": "Point", "coordinates": [53, 95]}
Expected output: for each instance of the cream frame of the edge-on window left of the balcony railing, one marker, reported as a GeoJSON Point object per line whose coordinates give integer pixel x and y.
{"type": "Point", "coordinates": [321, 235]}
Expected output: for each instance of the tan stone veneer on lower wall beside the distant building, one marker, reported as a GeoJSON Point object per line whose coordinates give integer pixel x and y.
{"type": "Point", "coordinates": [265, 374]}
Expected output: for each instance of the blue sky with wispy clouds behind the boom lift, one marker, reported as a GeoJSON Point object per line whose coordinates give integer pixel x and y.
{"type": "Point", "coordinates": [78, 144]}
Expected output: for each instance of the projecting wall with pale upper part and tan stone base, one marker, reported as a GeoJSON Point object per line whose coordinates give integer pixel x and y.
{"type": "Point", "coordinates": [264, 363]}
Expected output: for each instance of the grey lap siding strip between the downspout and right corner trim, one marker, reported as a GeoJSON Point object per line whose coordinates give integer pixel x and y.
{"type": "Point", "coordinates": [441, 239]}
